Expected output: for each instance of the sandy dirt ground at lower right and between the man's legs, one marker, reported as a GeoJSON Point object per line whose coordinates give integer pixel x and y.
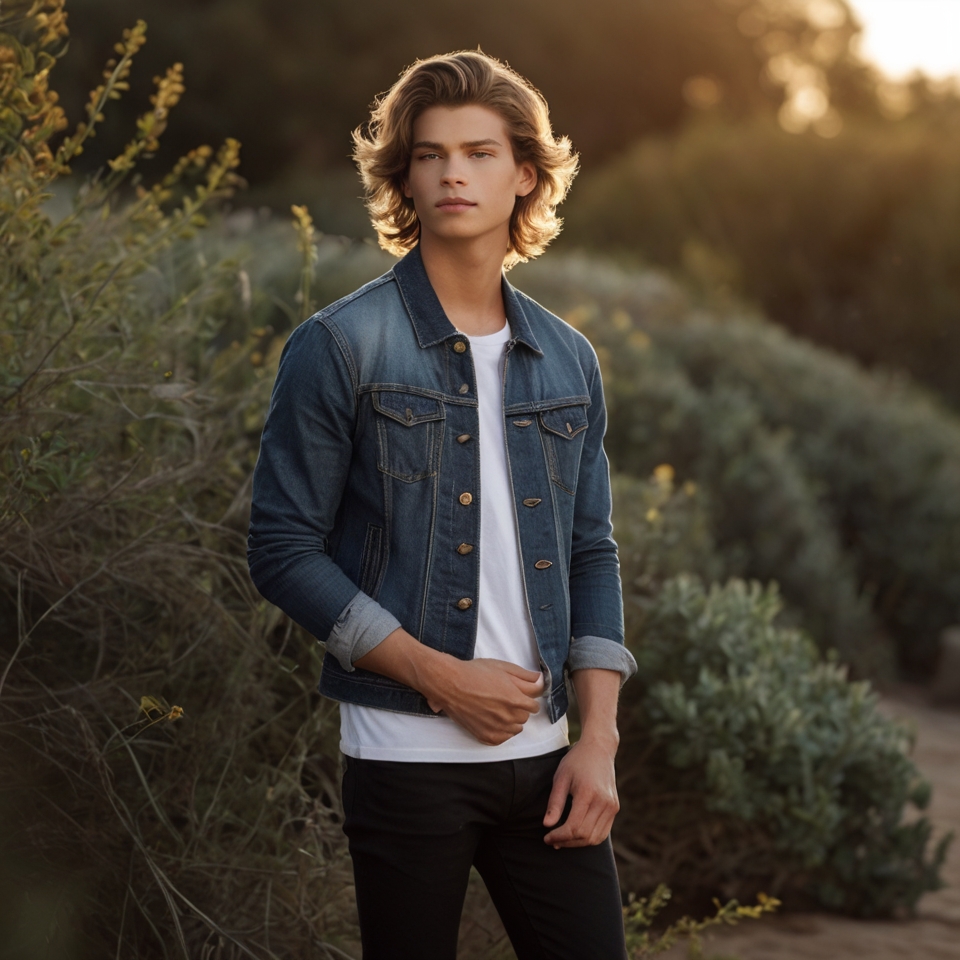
{"type": "Point", "coordinates": [933, 935]}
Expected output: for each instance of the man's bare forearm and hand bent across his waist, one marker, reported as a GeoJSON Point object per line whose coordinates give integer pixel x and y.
{"type": "Point", "coordinates": [491, 699]}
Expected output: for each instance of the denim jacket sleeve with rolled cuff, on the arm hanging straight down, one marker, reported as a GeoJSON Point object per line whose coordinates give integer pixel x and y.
{"type": "Point", "coordinates": [596, 597]}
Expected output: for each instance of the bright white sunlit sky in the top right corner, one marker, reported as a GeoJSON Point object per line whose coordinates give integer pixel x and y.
{"type": "Point", "coordinates": [901, 36]}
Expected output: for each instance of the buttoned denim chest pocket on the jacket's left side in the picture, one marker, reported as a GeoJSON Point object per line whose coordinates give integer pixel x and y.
{"type": "Point", "coordinates": [408, 431]}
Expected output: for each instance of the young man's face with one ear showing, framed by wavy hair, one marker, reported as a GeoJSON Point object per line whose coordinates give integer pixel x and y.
{"type": "Point", "coordinates": [463, 178]}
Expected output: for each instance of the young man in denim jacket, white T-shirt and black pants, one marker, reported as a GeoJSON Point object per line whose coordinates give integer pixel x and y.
{"type": "Point", "coordinates": [432, 500]}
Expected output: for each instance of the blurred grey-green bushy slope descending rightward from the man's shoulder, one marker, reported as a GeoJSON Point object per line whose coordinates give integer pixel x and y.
{"type": "Point", "coordinates": [836, 482]}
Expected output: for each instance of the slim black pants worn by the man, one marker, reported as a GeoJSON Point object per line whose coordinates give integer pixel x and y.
{"type": "Point", "coordinates": [415, 829]}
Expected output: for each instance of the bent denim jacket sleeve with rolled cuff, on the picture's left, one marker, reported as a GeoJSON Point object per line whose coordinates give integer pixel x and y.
{"type": "Point", "coordinates": [305, 454]}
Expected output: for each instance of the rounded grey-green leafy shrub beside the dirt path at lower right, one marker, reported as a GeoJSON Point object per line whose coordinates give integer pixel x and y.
{"type": "Point", "coordinates": [755, 762]}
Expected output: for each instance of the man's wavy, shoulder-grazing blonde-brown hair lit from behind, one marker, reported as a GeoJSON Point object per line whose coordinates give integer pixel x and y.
{"type": "Point", "coordinates": [383, 147]}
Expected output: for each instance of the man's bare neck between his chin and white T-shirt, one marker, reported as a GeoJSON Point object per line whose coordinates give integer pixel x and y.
{"type": "Point", "coordinates": [466, 279]}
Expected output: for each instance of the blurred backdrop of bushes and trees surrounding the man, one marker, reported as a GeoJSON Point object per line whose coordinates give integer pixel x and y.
{"type": "Point", "coordinates": [763, 246]}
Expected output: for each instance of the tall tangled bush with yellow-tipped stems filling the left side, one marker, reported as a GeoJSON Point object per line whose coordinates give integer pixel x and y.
{"type": "Point", "coordinates": [168, 772]}
